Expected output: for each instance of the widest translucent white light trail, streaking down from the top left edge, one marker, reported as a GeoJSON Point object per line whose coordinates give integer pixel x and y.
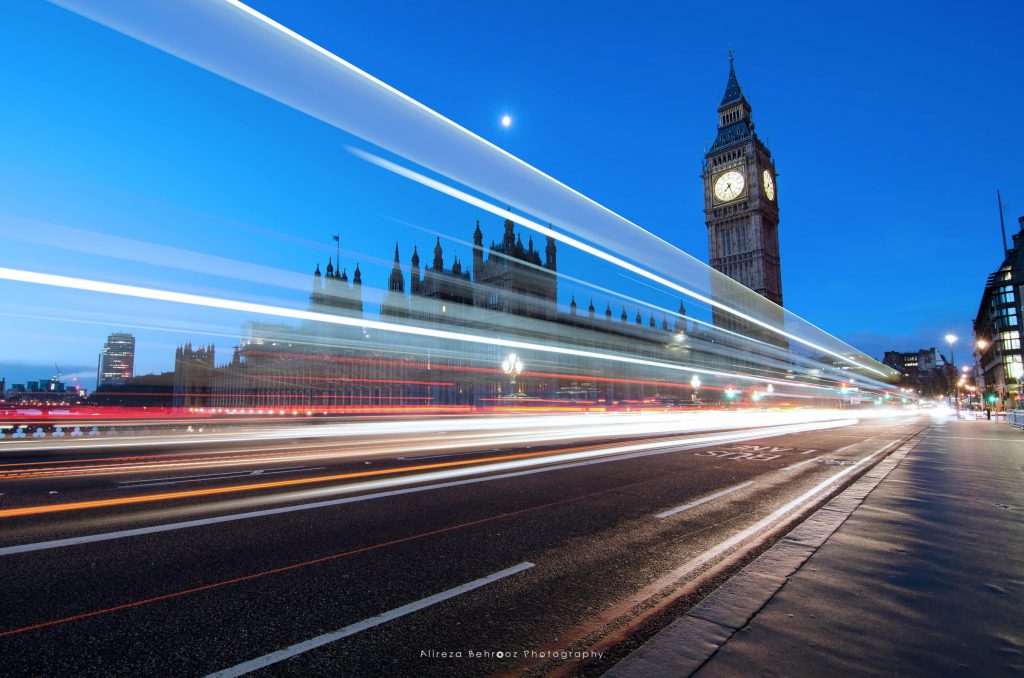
{"type": "Point", "coordinates": [245, 47]}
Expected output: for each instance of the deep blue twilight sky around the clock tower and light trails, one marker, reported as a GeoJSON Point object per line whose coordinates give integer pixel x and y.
{"type": "Point", "coordinates": [892, 126]}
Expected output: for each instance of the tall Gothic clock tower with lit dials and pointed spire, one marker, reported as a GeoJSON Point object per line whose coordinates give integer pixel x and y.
{"type": "Point", "coordinates": [741, 201]}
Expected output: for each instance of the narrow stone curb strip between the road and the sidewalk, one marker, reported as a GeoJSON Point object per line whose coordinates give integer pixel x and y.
{"type": "Point", "coordinates": [684, 647]}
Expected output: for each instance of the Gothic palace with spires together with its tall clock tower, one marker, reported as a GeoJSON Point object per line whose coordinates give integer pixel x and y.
{"type": "Point", "coordinates": [510, 290]}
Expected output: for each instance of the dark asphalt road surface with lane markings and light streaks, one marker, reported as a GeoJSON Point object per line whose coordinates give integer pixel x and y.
{"type": "Point", "coordinates": [462, 558]}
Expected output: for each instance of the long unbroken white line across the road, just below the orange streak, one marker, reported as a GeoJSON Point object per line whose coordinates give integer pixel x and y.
{"type": "Point", "coordinates": [411, 480]}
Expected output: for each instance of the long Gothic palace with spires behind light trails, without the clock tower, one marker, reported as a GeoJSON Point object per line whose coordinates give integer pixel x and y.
{"type": "Point", "coordinates": [510, 292]}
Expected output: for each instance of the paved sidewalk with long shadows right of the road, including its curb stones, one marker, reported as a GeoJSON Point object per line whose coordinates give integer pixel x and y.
{"type": "Point", "coordinates": [925, 578]}
